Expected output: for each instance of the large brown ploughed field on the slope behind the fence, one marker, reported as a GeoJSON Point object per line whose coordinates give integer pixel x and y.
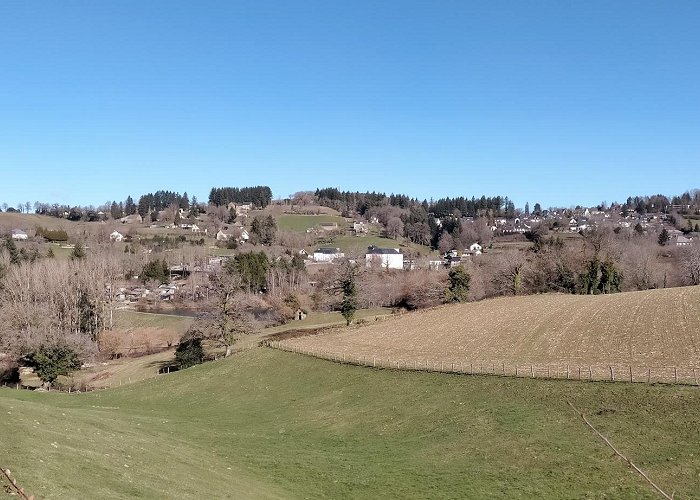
{"type": "Point", "coordinates": [655, 329]}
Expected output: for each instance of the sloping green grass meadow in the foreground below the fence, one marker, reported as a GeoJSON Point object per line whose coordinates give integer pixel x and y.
{"type": "Point", "coordinates": [270, 424]}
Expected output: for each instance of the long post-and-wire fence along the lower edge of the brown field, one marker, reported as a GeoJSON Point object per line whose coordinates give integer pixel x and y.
{"type": "Point", "coordinates": [559, 371]}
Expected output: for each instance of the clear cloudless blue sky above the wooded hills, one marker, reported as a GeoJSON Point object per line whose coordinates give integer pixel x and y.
{"type": "Point", "coordinates": [561, 102]}
